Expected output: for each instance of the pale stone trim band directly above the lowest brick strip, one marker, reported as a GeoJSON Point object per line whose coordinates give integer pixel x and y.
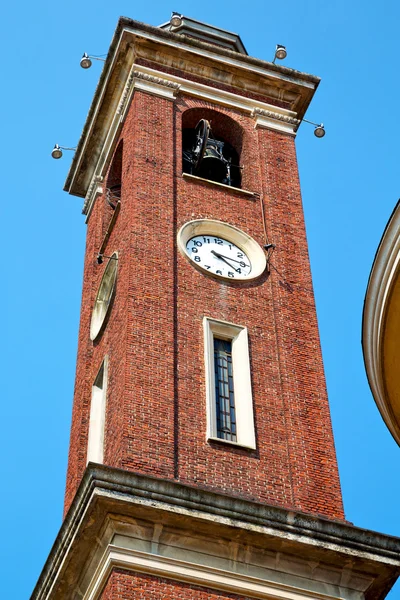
{"type": "Point", "coordinates": [216, 579]}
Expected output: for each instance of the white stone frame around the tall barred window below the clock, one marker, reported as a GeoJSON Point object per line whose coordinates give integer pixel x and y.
{"type": "Point", "coordinates": [237, 335]}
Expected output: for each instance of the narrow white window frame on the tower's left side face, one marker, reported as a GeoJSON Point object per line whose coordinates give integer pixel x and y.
{"type": "Point", "coordinates": [95, 451]}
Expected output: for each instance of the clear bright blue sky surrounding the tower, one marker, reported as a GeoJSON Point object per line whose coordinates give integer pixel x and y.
{"type": "Point", "coordinates": [349, 183]}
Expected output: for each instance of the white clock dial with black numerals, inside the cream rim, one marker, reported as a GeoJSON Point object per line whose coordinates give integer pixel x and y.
{"type": "Point", "coordinates": [219, 256]}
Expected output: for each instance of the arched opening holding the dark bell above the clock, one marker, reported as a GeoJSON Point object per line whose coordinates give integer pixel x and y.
{"type": "Point", "coordinates": [211, 146]}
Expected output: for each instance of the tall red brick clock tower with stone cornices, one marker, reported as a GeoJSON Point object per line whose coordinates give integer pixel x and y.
{"type": "Point", "coordinates": [201, 463]}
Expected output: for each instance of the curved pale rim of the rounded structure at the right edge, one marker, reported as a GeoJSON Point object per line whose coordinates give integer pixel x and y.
{"type": "Point", "coordinates": [385, 270]}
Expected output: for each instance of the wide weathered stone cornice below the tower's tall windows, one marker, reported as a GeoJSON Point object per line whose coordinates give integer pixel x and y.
{"type": "Point", "coordinates": [348, 559]}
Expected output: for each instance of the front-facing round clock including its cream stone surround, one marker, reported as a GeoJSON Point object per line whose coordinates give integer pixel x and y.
{"type": "Point", "coordinates": [221, 250]}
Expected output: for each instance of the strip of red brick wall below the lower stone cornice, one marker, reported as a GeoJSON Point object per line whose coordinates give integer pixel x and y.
{"type": "Point", "coordinates": [124, 585]}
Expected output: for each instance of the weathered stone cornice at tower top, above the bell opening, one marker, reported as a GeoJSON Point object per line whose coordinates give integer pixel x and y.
{"type": "Point", "coordinates": [122, 75]}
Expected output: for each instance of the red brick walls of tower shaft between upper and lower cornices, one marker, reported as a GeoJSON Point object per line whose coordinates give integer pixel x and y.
{"type": "Point", "coordinates": [156, 408]}
